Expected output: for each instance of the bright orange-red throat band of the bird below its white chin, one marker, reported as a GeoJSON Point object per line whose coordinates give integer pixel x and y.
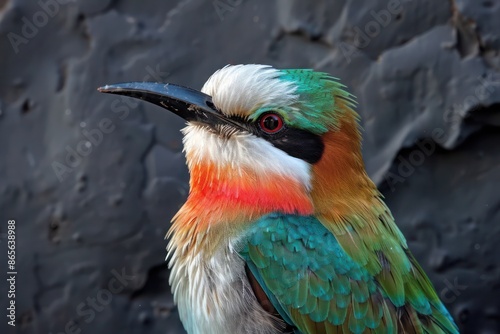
{"type": "Point", "coordinates": [223, 200]}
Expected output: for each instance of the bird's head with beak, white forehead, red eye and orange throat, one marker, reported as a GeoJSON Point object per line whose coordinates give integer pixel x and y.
{"type": "Point", "coordinates": [260, 140]}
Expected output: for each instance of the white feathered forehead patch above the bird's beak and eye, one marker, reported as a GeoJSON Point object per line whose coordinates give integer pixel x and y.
{"type": "Point", "coordinates": [241, 89]}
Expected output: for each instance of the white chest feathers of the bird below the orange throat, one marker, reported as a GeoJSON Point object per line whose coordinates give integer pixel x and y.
{"type": "Point", "coordinates": [214, 296]}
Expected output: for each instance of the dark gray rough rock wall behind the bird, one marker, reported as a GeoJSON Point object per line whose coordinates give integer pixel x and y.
{"type": "Point", "coordinates": [428, 84]}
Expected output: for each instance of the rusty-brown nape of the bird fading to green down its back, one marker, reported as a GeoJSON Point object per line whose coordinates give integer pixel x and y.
{"type": "Point", "coordinates": [349, 205]}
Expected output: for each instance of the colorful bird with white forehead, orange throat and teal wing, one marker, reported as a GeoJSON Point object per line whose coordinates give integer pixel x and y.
{"type": "Point", "coordinates": [283, 231]}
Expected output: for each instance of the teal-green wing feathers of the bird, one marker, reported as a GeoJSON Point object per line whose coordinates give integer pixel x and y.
{"type": "Point", "coordinates": [317, 287]}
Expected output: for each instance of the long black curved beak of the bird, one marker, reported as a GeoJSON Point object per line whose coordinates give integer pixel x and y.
{"type": "Point", "coordinates": [190, 104]}
